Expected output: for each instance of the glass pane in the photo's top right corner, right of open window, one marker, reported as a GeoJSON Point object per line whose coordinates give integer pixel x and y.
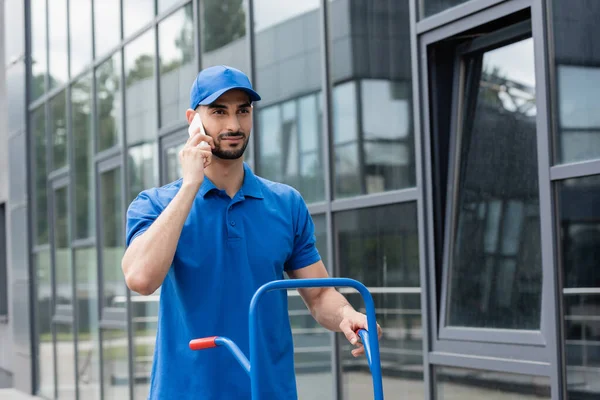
{"type": "Point", "coordinates": [577, 58]}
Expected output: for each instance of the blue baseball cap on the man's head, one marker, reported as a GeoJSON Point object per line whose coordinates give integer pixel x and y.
{"type": "Point", "coordinates": [212, 82]}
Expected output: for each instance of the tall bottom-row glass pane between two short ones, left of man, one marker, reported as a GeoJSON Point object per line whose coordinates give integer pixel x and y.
{"type": "Point", "coordinates": [88, 373]}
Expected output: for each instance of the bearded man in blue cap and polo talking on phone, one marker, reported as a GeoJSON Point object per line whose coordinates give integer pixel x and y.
{"type": "Point", "coordinates": [211, 239]}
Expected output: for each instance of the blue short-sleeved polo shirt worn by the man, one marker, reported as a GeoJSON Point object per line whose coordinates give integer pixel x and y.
{"type": "Point", "coordinates": [228, 248]}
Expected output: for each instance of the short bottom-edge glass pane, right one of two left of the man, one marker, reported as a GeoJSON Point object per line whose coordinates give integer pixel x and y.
{"type": "Point", "coordinates": [115, 362]}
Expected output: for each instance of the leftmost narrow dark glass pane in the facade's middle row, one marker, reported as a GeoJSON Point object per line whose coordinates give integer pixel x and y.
{"type": "Point", "coordinates": [38, 130]}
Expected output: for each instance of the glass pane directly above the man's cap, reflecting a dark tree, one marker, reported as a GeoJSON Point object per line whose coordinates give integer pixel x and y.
{"type": "Point", "coordinates": [224, 39]}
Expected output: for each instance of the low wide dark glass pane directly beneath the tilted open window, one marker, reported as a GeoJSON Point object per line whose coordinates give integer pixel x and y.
{"type": "Point", "coordinates": [470, 384]}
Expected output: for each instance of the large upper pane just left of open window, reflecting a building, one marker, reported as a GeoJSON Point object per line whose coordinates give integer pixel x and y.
{"type": "Point", "coordinates": [372, 97]}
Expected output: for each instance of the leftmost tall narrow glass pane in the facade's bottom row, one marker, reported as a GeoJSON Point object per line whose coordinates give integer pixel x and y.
{"type": "Point", "coordinates": [43, 312]}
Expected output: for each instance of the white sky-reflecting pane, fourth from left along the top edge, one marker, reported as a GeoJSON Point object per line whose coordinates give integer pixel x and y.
{"type": "Point", "coordinates": [107, 26]}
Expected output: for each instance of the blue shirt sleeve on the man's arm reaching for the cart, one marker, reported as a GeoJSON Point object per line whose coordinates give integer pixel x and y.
{"type": "Point", "coordinates": [305, 251]}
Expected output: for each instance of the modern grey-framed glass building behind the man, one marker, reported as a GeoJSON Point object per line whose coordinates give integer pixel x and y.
{"type": "Point", "coordinates": [449, 151]}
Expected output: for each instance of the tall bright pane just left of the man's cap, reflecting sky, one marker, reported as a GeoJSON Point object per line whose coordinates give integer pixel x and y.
{"type": "Point", "coordinates": [177, 64]}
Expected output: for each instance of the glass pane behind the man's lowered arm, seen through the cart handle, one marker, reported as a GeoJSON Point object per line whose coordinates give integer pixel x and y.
{"type": "Point", "coordinates": [312, 343]}
